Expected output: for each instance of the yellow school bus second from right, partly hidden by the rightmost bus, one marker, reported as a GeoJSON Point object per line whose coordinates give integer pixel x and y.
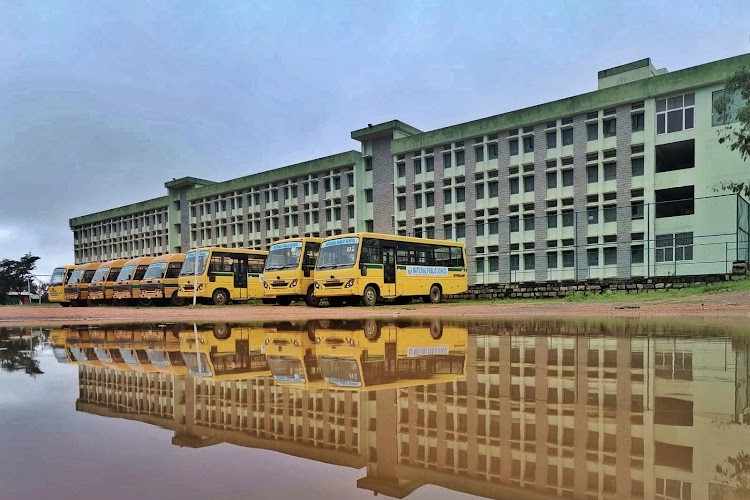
{"type": "Point", "coordinates": [288, 274]}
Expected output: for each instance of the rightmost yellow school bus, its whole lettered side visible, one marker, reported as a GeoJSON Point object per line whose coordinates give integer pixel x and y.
{"type": "Point", "coordinates": [371, 266]}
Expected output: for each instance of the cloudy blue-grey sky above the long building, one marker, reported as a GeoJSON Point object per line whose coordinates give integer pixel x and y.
{"type": "Point", "coordinates": [102, 102]}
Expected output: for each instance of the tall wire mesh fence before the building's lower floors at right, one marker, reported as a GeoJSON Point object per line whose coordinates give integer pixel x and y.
{"type": "Point", "coordinates": [604, 240]}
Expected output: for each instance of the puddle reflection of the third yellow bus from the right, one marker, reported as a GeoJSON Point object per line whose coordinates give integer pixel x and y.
{"type": "Point", "coordinates": [224, 352]}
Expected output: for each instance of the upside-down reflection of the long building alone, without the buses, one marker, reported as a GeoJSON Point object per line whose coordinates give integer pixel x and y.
{"type": "Point", "coordinates": [539, 412]}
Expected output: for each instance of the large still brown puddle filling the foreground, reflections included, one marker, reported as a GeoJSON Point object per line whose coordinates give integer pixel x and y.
{"type": "Point", "coordinates": [346, 409]}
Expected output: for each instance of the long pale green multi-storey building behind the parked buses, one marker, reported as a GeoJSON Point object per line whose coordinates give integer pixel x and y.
{"type": "Point", "coordinates": [618, 182]}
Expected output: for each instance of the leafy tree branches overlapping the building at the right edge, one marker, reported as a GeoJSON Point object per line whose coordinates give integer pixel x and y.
{"type": "Point", "coordinates": [733, 110]}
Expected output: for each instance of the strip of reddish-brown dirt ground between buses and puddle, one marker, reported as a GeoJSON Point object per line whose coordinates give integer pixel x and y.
{"type": "Point", "coordinates": [731, 307]}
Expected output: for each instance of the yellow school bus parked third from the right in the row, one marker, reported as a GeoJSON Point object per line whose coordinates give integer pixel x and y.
{"type": "Point", "coordinates": [231, 274]}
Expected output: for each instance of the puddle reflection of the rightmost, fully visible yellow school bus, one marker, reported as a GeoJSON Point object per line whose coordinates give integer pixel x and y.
{"type": "Point", "coordinates": [374, 356]}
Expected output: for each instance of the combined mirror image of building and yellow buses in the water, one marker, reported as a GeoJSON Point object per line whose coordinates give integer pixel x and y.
{"type": "Point", "coordinates": [497, 409]}
